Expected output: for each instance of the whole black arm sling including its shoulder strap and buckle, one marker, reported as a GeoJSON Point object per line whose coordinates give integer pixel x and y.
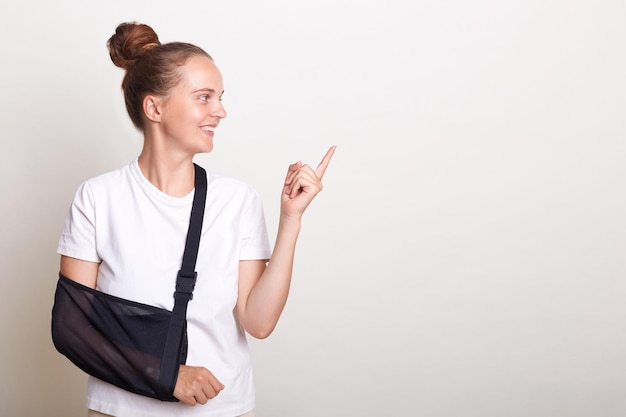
{"type": "Point", "coordinates": [134, 346]}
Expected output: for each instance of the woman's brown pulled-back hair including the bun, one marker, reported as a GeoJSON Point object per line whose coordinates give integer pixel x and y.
{"type": "Point", "coordinates": [151, 67]}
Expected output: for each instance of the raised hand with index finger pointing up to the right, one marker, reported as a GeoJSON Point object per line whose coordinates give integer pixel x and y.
{"type": "Point", "coordinates": [302, 184]}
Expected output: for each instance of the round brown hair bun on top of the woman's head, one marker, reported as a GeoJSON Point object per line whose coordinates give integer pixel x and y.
{"type": "Point", "coordinates": [130, 42]}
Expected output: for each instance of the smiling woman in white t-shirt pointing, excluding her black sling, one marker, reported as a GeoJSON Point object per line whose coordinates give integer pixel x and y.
{"type": "Point", "coordinates": [126, 229]}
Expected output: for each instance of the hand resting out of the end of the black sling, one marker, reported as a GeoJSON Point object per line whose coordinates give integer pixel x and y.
{"type": "Point", "coordinates": [196, 385]}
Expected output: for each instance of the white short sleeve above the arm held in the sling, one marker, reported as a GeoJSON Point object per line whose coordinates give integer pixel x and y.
{"type": "Point", "coordinates": [78, 239]}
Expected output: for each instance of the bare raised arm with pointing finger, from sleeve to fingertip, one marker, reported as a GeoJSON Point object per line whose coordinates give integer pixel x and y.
{"type": "Point", "coordinates": [263, 289]}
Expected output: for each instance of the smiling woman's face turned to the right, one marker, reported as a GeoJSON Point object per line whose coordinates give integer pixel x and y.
{"type": "Point", "coordinates": [193, 109]}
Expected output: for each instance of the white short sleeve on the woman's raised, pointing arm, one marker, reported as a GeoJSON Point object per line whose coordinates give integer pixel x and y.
{"type": "Point", "coordinates": [255, 242]}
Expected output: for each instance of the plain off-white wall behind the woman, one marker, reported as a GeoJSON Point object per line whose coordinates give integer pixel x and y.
{"type": "Point", "coordinates": [467, 255]}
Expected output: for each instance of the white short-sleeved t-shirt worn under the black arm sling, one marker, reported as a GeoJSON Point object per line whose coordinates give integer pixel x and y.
{"type": "Point", "coordinates": [138, 233]}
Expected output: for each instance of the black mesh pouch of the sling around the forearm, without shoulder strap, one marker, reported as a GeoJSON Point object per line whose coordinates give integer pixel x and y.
{"type": "Point", "coordinates": [113, 339]}
